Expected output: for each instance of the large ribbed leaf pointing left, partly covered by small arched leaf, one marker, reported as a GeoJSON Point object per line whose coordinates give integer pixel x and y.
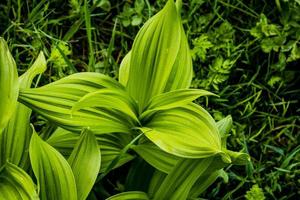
{"type": "Point", "coordinates": [55, 101]}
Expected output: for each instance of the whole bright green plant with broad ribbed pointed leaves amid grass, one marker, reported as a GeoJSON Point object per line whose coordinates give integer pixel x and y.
{"type": "Point", "coordinates": [176, 148]}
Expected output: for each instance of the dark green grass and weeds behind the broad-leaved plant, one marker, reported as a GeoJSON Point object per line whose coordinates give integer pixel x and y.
{"type": "Point", "coordinates": [258, 88]}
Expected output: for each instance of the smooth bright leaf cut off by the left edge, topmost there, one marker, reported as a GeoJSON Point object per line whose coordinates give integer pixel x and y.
{"type": "Point", "coordinates": [9, 87]}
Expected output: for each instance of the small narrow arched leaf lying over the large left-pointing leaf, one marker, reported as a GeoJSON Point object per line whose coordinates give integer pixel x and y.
{"type": "Point", "coordinates": [111, 99]}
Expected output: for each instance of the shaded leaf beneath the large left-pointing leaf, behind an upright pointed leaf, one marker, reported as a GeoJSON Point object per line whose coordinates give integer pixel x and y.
{"type": "Point", "coordinates": [111, 146]}
